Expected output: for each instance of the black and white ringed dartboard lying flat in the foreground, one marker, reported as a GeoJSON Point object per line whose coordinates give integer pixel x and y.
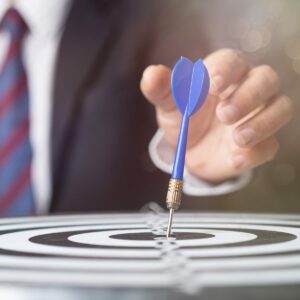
{"type": "Point", "coordinates": [130, 252]}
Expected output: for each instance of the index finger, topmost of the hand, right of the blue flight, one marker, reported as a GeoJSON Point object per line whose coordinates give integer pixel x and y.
{"type": "Point", "coordinates": [226, 67]}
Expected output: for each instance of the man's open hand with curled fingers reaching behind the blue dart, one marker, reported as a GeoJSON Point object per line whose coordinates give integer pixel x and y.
{"type": "Point", "coordinates": [234, 130]}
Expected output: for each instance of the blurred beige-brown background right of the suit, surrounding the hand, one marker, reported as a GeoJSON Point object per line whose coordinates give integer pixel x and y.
{"type": "Point", "coordinates": [268, 32]}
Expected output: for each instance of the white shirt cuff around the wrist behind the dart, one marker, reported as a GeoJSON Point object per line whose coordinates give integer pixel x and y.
{"type": "Point", "coordinates": [162, 155]}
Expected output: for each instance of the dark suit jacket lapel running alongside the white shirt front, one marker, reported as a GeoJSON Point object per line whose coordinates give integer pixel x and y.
{"type": "Point", "coordinates": [89, 33]}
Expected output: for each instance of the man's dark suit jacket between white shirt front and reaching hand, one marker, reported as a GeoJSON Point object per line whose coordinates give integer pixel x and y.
{"type": "Point", "coordinates": [101, 125]}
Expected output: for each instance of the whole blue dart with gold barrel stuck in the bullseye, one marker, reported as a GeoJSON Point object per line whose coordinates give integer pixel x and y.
{"type": "Point", "coordinates": [190, 85]}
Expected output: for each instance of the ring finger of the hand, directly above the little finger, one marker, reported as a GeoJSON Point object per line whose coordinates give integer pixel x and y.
{"type": "Point", "coordinates": [265, 123]}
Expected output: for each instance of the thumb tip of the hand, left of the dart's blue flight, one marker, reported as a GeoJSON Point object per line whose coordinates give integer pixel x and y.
{"type": "Point", "coordinates": [155, 85]}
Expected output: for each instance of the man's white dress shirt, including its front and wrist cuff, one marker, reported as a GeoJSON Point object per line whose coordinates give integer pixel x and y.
{"type": "Point", "coordinates": [46, 20]}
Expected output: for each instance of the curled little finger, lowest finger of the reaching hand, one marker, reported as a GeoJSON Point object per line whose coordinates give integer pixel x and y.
{"type": "Point", "coordinates": [244, 159]}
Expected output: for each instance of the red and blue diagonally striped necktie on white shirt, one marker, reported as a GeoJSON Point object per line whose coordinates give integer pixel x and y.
{"type": "Point", "coordinates": [16, 197]}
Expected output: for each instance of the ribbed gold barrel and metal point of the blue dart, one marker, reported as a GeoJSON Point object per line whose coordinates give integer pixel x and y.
{"type": "Point", "coordinates": [173, 199]}
